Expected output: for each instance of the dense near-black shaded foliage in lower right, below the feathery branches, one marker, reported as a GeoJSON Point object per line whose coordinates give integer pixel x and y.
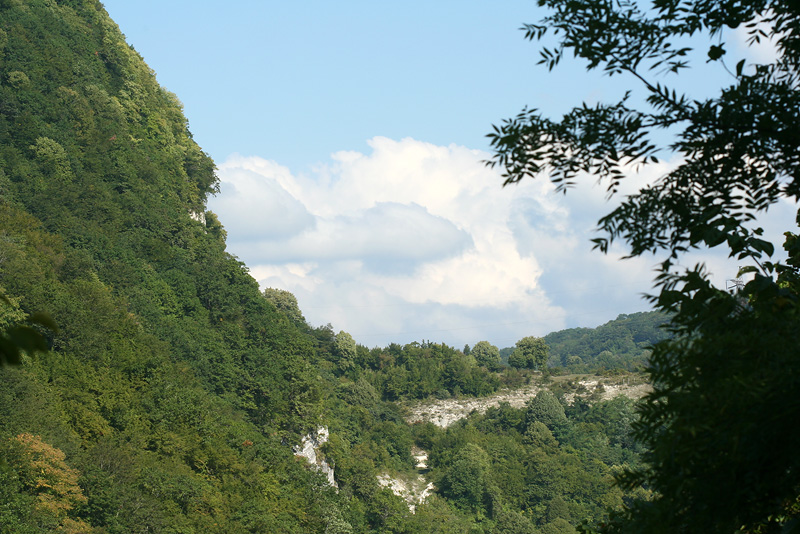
{"type": "Point", "coordinates": [721, 390]}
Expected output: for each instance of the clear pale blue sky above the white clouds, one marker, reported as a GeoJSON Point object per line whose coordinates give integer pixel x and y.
{"type": "Point", "coordinates": [297, 81]}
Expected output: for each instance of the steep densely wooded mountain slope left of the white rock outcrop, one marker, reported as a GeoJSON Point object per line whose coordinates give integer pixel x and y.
{"type": "Point", "coordinates": [172, 381]}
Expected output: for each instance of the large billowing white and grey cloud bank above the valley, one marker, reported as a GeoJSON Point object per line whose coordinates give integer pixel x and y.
{"type": "Point", "coordinates": [415, 241]}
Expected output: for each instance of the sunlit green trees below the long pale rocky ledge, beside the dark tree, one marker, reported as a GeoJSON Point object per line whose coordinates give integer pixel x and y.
{"type": "Point", "coordinates": [510, 472]}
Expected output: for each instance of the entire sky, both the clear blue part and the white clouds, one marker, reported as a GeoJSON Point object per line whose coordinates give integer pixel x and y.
{"type": "Point", "coordinates": [350, 139]}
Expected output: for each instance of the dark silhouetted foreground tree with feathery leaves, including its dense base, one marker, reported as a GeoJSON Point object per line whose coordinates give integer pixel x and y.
{"type": "Point", "coordinates": [719, 423]}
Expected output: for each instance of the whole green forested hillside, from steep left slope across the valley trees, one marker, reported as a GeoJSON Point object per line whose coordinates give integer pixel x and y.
{"type": "Point", "coordinates": [175, 389]}
